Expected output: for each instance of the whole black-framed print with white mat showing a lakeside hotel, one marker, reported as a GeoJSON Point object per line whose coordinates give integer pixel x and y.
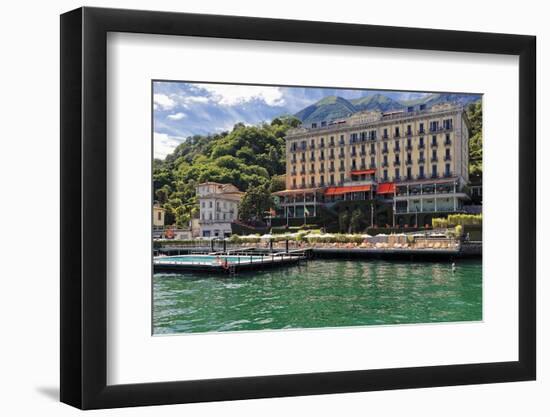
{"type": "Point", "coordinates": [257, 208]}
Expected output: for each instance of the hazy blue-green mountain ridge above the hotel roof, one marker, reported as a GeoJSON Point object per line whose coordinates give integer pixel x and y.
{"type": "Point", "coordinates": [334, 107]}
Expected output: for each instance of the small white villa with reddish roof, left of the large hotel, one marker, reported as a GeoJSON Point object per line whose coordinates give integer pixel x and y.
{"type": "Point", "coordinates": [218, 208]}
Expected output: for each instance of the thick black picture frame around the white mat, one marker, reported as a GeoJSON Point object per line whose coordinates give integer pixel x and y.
{"type": "Point", "coordinates": [84, 207]}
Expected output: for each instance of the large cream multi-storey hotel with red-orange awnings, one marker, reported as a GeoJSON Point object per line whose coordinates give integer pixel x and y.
{"type": "Point", "coordinates": [415, 161]}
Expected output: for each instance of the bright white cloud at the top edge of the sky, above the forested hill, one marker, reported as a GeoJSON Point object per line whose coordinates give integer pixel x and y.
{"type": "Point", "coordinates": [229, 95]}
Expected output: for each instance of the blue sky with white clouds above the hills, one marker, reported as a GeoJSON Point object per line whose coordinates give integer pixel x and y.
{"type": "Point", "coordinates": [186, 109]}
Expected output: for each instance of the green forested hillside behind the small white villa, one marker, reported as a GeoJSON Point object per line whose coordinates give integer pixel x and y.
{"type": "Point", "coordinates": [248, 156]}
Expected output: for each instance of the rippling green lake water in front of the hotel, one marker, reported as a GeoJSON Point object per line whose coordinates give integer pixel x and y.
{"type": "Point", "coordinates": [319, 293]}
